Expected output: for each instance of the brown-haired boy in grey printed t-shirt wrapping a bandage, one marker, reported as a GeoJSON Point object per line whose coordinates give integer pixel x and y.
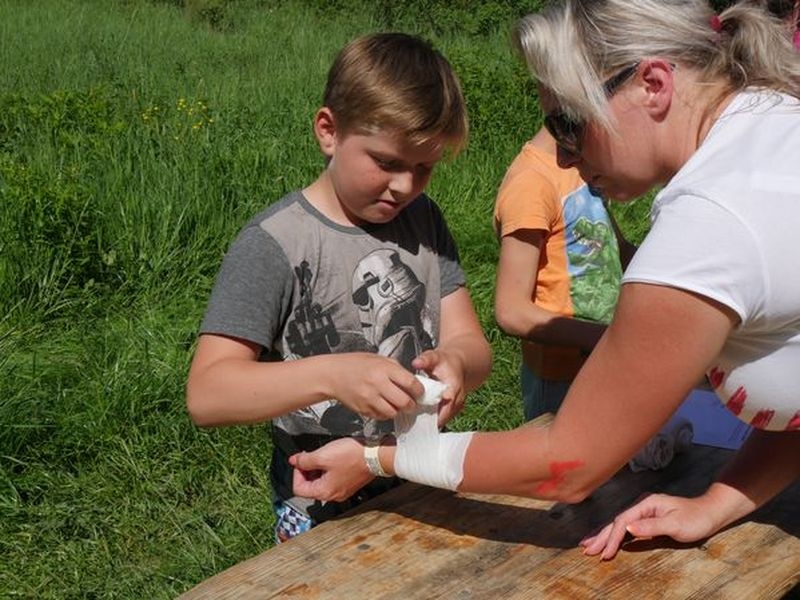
{"type": "Point", "coordinates": [329, 300]}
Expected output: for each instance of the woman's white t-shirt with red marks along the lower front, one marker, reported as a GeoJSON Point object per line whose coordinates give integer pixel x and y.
{"type": "Point", "coordinates": [727, 227]}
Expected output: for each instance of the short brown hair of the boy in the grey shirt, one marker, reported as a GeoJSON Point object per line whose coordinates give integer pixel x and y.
{"type": "Point", "coordinates": [396, 81]}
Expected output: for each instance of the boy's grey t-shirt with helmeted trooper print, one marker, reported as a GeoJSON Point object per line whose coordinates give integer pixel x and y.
{"type": "Point", "coordinates": [300, 285]}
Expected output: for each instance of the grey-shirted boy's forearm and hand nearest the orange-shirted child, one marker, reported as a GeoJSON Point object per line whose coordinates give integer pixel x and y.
{"type": "Point", "coordinates": [463, 358]}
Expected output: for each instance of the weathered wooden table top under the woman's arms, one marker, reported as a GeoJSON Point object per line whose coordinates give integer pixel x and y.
{"type": "Point", "coordinates": [416, 542]}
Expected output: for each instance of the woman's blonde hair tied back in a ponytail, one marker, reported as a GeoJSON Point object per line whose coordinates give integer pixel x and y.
{"type": "Point", "coordinates": [572, 46]}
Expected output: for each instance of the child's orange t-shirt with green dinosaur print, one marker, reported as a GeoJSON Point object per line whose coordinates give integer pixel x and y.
{"type": "Point", "coordinates": [579, 269]}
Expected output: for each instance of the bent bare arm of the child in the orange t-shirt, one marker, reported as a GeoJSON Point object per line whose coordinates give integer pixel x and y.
{"type": "Point", "coordinates": [515, 310]}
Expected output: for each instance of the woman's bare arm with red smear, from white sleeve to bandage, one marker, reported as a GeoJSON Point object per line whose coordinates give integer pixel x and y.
{"type": "Point", "coordinates": [616, 403]}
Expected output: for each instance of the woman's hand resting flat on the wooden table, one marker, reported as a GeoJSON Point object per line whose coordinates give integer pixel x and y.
{"type": "Point", "coordinates": [682, 519]}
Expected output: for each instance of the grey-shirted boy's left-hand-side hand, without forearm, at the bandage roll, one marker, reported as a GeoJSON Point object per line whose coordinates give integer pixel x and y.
{"type": "Point", "coordinates": [373, 385]}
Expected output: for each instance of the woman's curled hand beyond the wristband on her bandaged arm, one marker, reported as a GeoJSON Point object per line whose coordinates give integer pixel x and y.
{"type": "Point", "coordinates": [333, 473]}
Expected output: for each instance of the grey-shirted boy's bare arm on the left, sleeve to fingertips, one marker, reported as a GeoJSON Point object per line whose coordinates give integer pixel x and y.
{"type": "Point", "coordinates": [227, 384]}
